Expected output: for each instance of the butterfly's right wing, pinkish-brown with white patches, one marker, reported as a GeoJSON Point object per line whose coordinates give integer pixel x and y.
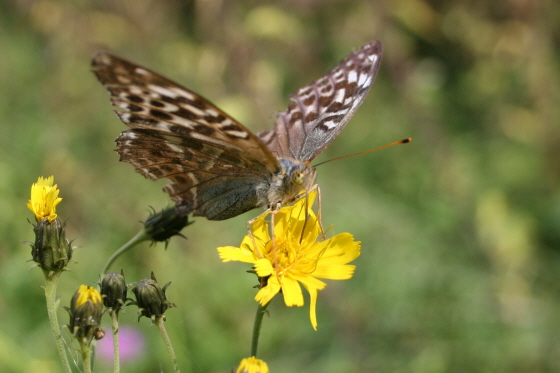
{"type": "Point", "coordinates": [320, 110]}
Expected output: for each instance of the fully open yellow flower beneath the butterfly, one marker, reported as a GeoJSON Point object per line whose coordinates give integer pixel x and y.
{"type": "Point", "coordinates": [295, 256]}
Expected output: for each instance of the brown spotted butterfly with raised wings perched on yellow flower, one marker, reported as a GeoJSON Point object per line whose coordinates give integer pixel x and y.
{"type": "Point", "coordinates": [218, 168]}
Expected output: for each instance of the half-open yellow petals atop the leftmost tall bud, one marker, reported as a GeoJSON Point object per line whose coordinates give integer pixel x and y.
{"type": "Point", "coordinates": [44, 198]}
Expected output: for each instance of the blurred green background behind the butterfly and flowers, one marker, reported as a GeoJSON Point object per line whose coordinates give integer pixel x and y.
{"type": "Point", "coordinates": [460, 229]}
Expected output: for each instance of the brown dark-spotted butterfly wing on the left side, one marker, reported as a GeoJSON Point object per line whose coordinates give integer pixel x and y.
{"type": "Point", "coordinates": [215, 164]}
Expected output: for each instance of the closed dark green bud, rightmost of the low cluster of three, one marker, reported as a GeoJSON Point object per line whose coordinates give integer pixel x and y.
{"type": "Point", "coordinates": [151, 299]}
